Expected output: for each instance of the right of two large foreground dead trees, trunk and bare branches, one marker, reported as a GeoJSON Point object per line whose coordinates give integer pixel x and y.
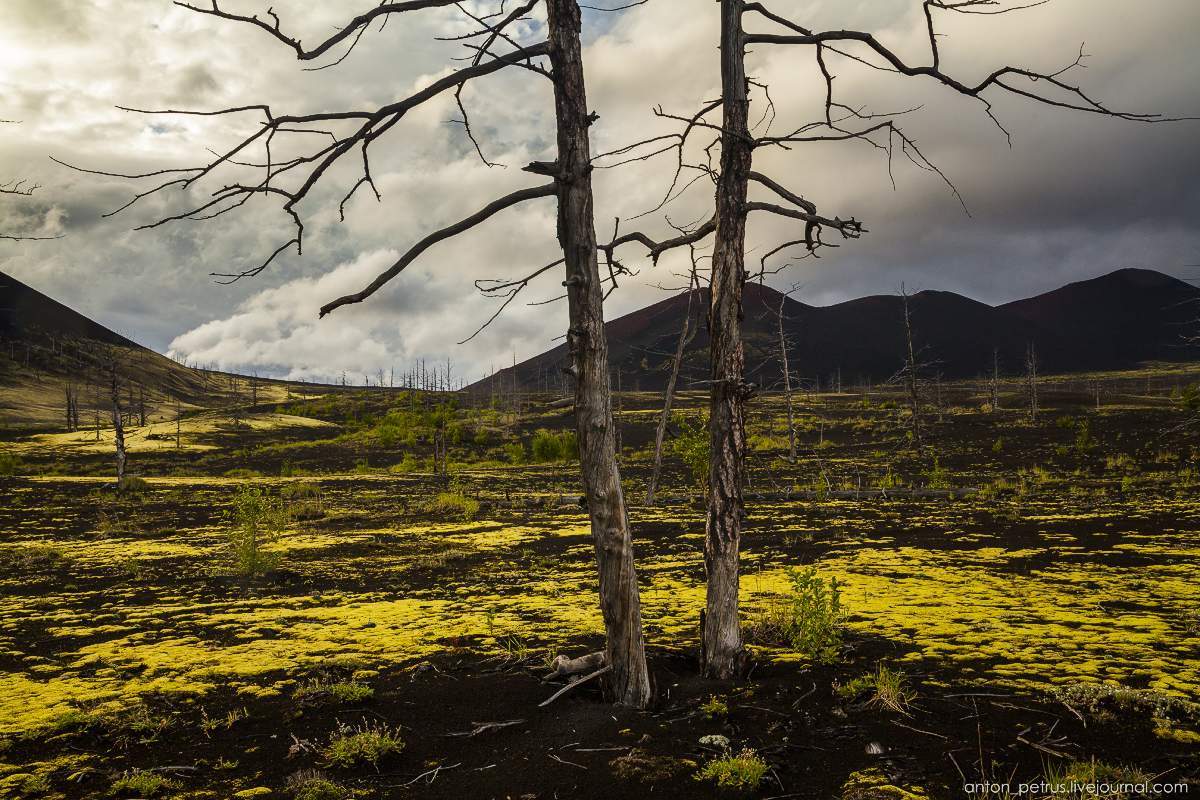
{"type": "Point", "coordinates": [734, 176]}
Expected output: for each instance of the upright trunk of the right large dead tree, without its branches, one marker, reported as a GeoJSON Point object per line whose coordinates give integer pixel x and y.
{"type": "Point", "coordinates": [722, 636]}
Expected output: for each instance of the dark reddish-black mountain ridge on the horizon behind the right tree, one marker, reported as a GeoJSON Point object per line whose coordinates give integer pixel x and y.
{"type": "Point", "coordinates": [1114, 322]}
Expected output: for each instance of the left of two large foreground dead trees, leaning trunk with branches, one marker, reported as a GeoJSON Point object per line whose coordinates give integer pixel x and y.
{"type": "Point", "coordinates": [349, 136]}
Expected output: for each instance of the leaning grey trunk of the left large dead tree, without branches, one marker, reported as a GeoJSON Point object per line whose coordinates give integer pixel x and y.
{"type": "Point", "coordinates": [589, 356]}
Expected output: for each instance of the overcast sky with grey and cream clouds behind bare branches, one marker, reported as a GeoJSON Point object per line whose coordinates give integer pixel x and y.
{"type": "Point", "coordinates": [1075, 197]}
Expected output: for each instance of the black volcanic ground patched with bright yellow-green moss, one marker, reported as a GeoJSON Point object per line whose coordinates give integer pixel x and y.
{"type": "Point", "coordinates": [1039, 593]}
